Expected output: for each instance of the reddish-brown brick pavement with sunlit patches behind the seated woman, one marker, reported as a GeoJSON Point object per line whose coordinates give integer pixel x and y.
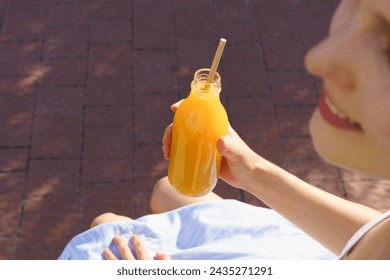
{"type": "Point", "coordinates": [85, 87]}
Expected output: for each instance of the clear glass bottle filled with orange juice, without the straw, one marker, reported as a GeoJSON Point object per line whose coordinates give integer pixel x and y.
{"type": "Point", "coordinates": [198, 123]}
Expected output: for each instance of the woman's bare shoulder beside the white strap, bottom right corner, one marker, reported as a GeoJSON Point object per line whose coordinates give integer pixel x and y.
{"type": "Point", "coordinates": [375, 245]}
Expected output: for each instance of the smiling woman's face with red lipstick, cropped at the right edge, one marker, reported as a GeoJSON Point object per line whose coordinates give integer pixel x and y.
{"type": "Point", "coordinates": [351, 125]}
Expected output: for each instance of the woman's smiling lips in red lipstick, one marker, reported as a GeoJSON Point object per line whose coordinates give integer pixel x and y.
{"type": "Point", "coordinates": [333, 116]}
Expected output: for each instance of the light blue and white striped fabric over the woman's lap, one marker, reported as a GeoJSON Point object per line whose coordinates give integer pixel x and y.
{"type": "Point", "coordinates": [226, 229]}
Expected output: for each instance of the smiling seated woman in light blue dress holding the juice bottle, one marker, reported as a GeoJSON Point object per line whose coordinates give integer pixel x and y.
{"type": "Point", "coordinates": [350, 128]}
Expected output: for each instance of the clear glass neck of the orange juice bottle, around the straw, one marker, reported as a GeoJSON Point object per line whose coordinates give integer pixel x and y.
{"type": "Point", "coordinates": [200, 85]}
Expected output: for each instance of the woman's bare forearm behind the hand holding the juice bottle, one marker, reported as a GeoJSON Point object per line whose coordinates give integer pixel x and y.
{"type": "Point", "coordinates": [329, 219]}
